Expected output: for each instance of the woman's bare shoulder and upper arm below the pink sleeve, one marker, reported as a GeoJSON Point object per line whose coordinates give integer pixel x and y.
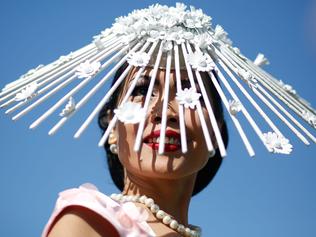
{"type": "Point", "coordinates": [77, 221]}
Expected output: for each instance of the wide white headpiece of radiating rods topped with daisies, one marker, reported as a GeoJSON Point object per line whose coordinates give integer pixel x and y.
{"type": "Point", "coordinates": [172, 38]}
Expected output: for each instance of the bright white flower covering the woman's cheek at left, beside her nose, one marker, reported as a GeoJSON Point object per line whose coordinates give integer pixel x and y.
{"type": "Point", "coordinates": [130, 113]}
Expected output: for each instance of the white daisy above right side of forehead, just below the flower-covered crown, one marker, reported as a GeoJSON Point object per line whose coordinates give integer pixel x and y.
{"type": "Point", "coordinates": [200, 61]}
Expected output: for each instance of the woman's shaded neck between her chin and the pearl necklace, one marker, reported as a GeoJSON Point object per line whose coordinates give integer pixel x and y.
{"type": "Point", "coordinates": [172, 195]}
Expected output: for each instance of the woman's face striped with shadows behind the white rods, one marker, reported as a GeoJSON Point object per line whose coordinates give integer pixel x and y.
{"type": "Point", "coordinates": [172, 164]}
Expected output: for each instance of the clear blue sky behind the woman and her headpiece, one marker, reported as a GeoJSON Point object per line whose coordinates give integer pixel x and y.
{"type": "Point", "coordinates": [267, 196]}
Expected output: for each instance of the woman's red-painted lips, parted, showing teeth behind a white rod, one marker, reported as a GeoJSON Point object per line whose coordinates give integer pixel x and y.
{"type": "Point", "coordinates": [172, 140]}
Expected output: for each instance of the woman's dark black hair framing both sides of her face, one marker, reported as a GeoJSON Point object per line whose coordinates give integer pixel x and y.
{"type": "Point", "coordinates": [204, 176]}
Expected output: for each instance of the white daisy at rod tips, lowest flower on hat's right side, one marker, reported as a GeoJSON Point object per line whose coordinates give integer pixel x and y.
{"type": "Point", "coordinates": [277, 143]}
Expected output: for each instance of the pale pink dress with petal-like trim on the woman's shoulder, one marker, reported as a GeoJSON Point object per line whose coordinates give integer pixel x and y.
{"type": "Point", "coordinates": [127, 219]}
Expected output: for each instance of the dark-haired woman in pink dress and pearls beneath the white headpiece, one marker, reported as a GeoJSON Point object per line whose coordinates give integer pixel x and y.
{"type": "Point", "coordinates": [168, 181]}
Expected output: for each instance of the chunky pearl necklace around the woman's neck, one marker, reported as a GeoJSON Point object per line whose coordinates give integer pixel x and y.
{"type": "Point", "coordinates": [160, 214]}
